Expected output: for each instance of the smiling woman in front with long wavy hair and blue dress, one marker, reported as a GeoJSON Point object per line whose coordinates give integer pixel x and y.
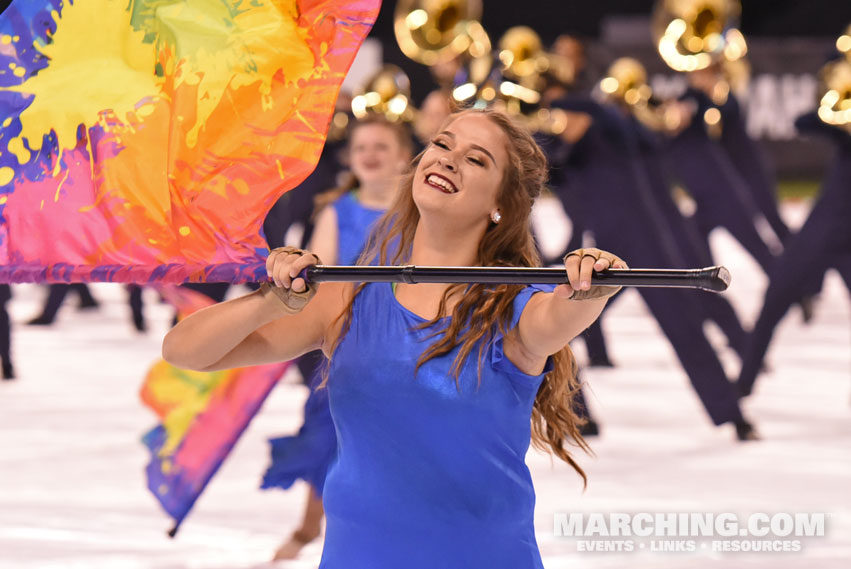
{"type": "Point", "coordinates": [435, 390]}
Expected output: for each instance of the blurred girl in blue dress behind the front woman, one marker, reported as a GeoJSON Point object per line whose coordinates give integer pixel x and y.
{"type": "Point", "coordinates": [378, 153]}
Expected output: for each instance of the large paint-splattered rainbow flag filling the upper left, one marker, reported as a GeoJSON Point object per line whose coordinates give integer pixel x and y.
{"type": "Point", "coordinates": [145, 140]}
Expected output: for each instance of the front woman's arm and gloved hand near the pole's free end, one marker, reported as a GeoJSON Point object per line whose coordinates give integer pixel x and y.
{"type": "Point", "coordinates": [551, 320]}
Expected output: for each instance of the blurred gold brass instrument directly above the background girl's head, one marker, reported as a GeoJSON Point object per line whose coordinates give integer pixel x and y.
{"type": "Point", "coordinates": [387, 93]}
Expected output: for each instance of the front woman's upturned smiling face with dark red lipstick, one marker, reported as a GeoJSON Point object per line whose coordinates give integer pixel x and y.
{"type": "Point", "coordinates": [461, 172]}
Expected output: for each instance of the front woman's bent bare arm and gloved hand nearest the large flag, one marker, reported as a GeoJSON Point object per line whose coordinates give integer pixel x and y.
{"type": "Point", "coordinates": [258, 328]}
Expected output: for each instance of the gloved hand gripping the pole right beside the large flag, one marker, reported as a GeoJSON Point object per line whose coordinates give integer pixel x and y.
{"type": "Point", "coordinates": [291, 291]}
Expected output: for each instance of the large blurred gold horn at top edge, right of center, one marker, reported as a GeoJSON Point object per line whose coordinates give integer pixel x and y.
{"type": "Point", "coordinates": [693, 34]}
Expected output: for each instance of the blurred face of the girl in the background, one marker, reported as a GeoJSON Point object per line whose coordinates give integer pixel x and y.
{"type": "Point", "coordinates": [376, 154]}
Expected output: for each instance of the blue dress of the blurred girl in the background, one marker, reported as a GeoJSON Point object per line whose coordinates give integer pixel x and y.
{"type": "Point", "coordinates": [307, 455]}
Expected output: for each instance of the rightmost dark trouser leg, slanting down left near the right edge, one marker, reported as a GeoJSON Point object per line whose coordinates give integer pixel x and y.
{"type": "Point", "coordinates": [808, 255]}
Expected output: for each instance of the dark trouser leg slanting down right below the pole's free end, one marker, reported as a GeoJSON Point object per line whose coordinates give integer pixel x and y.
{"type": "Point", "coordinates": [682, 325]}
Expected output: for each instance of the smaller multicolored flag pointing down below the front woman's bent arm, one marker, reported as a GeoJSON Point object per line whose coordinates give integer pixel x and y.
{"type": "Point", "coordinates": [202, 415]}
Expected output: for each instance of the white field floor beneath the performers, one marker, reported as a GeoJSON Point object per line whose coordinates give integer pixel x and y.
{"type": "Point", "coordinates": [72, 487]}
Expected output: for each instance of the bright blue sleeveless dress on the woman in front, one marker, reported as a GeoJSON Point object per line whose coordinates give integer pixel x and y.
{"type": "Point", "coordinates": [427, 475]}
